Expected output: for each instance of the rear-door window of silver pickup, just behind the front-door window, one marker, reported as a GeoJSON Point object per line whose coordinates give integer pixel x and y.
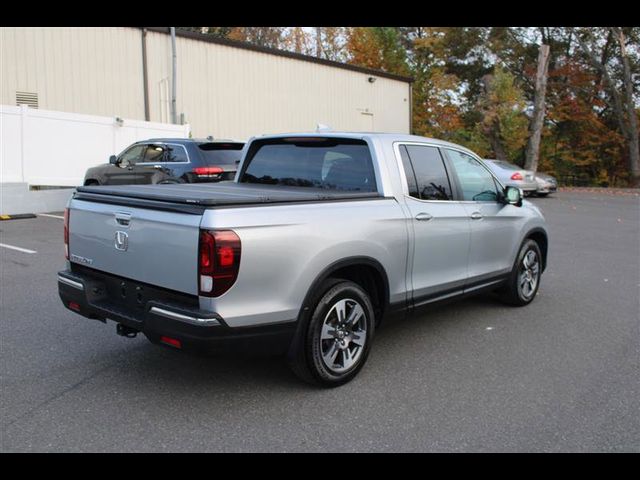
{"type": "Point", "coordinates": [426, 174]}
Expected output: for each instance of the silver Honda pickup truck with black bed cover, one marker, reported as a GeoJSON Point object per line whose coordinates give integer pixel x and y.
{"type": "Point", "coordinates": [319, 237]}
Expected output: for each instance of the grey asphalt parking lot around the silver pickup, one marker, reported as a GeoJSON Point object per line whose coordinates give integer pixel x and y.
{"type": "Point", "coordinates": [562, 374]}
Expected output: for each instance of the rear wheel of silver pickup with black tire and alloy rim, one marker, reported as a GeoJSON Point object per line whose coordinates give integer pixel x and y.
{"type": "Point", "coordinates": [334, 341]}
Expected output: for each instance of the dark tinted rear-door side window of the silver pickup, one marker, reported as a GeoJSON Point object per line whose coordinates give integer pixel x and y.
{"type": "Point", "coordinates": [430, 173]}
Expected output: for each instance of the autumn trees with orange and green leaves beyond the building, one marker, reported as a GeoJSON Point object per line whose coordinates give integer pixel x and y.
{"type": "Point", "coordinates": [476, 86]}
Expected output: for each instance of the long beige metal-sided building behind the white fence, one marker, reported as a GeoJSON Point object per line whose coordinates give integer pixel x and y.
{"type": "Point", "coordinates": [225, 89]}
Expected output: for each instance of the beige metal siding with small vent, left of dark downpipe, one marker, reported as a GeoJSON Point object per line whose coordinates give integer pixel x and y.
{"type": "Point", "coordinates": [83, 70]}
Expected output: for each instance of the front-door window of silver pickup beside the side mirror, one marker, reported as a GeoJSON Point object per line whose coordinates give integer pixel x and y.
{"type": "Point", "coordinates": [476, 182]}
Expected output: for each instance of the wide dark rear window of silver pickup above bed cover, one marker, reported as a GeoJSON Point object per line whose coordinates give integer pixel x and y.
{"type": "Point", "coordinates": [335, 164]}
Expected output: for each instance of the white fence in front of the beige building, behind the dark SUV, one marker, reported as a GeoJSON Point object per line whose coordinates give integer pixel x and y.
{"type": "Point", "coordinates": [43, 147]}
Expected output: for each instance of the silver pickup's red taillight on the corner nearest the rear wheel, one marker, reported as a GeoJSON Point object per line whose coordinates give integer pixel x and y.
{"type": "Point", "coordinates": [219, 261]}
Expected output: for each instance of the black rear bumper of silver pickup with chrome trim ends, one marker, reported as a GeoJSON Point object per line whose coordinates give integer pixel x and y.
{"type": "Point", "coordinates": [159, 315]}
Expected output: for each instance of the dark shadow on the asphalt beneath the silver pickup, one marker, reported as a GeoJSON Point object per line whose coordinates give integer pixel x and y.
{"type": "Point", "coordinates": [184, 373]}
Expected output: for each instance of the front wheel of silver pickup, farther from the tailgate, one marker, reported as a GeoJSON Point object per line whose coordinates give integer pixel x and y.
{"type": "Point", "coordinates": [524, 280]}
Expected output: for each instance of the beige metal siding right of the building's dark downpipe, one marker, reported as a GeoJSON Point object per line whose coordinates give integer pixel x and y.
{"type": "Point", "coordinates": [234, 93]}
